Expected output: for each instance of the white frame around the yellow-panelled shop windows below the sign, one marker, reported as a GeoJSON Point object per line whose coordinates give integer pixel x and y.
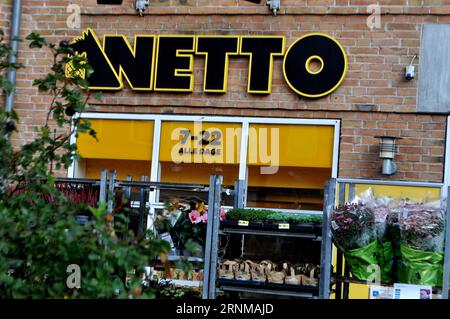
{"type": "Point", "coordinates": [244, 121]}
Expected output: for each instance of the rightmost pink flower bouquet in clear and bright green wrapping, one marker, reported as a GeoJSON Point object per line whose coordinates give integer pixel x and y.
{"type": "Point", "coordinates": [421, 244]}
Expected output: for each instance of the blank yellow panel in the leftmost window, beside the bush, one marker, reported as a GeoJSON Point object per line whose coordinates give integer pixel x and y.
{"type": "Point", "coordinates": [118, 139]}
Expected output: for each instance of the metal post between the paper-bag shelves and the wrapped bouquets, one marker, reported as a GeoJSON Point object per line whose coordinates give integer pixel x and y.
{"type": "Point", "coordinates": [327, 244]}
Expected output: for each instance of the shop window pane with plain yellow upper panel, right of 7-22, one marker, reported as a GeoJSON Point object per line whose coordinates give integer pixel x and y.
{"type": "Point", "coordinates": [288, 165]}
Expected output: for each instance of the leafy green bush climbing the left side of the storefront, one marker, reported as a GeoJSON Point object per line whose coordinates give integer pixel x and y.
{"type": "Point", "coordinates": [39, 233]}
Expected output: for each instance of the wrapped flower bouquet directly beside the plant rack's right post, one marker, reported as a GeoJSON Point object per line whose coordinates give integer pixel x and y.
{"type": "Point", "coordinates": [354, 232]}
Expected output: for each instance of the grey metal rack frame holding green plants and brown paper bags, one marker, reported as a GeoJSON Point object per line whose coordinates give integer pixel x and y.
{"type": "Point", "coordinates": [211, 259]}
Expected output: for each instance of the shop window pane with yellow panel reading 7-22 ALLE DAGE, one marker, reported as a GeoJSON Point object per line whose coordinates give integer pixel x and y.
{"type": "Point", "coordinates": [192, 151]}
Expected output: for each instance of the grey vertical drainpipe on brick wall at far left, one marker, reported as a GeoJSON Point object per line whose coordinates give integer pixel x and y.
{"type": "Point", "coordinates": [15, 32]}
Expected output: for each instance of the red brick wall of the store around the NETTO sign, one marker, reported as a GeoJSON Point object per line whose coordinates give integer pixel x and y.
{"type": "Point", "coordinates": [376, 70]}
